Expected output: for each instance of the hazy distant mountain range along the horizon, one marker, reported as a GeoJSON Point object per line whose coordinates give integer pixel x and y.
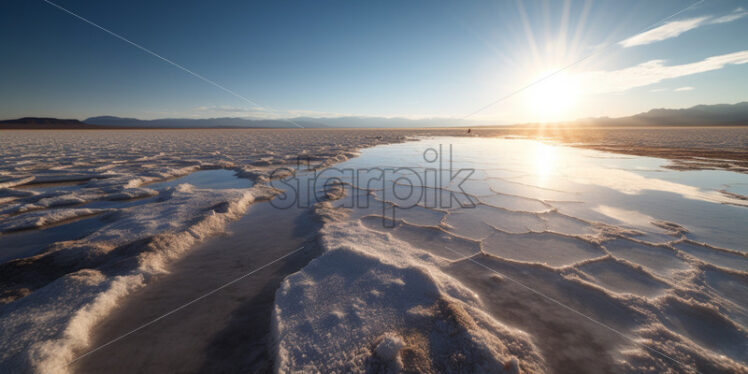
{"type": "Point", "coordinates": [700, 115]}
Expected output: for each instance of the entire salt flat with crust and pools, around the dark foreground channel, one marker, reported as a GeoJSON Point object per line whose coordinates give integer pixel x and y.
{"type": "Point", "coordinates": [645, 263]}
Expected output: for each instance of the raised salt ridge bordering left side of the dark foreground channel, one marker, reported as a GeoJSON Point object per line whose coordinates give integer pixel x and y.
{"type": "Point", "coordinates": [83, 297]}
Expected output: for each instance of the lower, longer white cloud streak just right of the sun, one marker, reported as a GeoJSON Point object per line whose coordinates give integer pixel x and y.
{"type": "Point", "coordinates": [650, 72]}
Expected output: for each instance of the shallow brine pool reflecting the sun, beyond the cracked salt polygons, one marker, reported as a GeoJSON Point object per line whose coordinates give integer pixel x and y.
{"type": "Point", "coordinates": [528, 186]}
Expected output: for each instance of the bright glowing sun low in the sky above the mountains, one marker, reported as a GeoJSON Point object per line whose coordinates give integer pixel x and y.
{"type": "Point", "coordinates": [553, 97]}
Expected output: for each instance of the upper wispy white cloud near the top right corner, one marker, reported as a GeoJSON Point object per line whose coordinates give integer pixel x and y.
{"type": "Point", "coordinates": [675, 28]}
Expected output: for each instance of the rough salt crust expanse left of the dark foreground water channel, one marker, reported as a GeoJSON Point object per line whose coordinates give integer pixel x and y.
{"type": "Point", "coordinates": [47, 318]}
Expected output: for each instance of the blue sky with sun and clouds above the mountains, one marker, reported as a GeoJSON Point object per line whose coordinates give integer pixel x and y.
{"type": "Point", "coordinates": [407, 59]}
